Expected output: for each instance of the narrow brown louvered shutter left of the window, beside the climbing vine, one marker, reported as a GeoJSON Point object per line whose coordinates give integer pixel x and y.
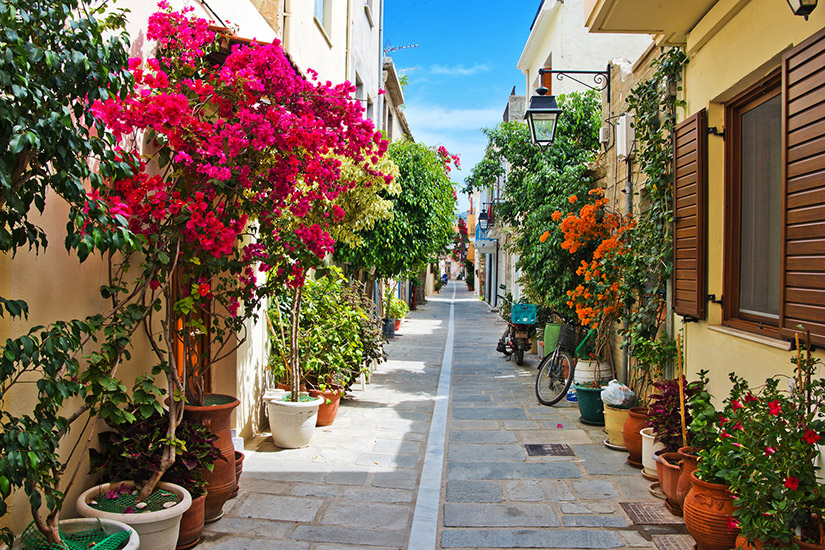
{"type": "Point", "coordinates": [689, 209]}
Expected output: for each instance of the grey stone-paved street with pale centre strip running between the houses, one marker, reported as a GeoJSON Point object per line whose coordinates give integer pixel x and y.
{"type": "Point", "coordinates": [357, 484]}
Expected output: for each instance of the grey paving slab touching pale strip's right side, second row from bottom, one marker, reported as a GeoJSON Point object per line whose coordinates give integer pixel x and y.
{"type": "Point", "coordinates": [499, 515]}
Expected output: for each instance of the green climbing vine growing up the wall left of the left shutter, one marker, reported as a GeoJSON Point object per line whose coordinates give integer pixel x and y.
{"type": "Point", "coordinates": [650, 265]}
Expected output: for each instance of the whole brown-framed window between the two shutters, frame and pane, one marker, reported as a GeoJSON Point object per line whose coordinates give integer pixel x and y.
{"type": "Point", "coordinates": [753, 223]}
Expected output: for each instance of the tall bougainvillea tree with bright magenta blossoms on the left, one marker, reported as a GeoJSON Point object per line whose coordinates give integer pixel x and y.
{"type": "Point", "coordinates": [237, 184]}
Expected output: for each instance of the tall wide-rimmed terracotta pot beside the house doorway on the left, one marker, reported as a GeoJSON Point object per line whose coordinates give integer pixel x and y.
{"type": "Point", "coordinates": [215, 415]}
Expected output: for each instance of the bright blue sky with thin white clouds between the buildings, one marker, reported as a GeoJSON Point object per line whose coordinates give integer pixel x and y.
{"type": "Point", "coordinates": [463, 71]}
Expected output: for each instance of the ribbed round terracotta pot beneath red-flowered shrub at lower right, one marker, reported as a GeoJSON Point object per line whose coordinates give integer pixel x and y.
{"type": "Point", "coordinates": [708, 509]}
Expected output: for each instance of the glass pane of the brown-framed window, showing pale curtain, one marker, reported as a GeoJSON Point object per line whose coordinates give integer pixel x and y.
{"type": "Point", "coordinates": [759, 268]}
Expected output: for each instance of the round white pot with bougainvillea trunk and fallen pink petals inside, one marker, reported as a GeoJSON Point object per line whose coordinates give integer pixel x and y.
{"type": "Point", "coordinates": [157, 530]}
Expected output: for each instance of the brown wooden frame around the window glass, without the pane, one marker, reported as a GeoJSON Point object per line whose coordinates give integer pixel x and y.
{"type": "Point", "coordinates": [764, 90]}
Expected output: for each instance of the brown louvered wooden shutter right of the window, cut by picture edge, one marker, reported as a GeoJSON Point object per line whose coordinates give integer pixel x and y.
{"type": "Point", "coordinates": [802, 300]}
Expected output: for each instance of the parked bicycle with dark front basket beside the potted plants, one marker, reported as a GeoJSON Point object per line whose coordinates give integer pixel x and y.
{"type": "Point", "coordinates": [556, 370]}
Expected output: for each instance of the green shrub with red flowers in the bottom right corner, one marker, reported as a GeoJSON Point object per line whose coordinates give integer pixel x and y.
{"type": "Point", "coordinates": [765, 451]}
